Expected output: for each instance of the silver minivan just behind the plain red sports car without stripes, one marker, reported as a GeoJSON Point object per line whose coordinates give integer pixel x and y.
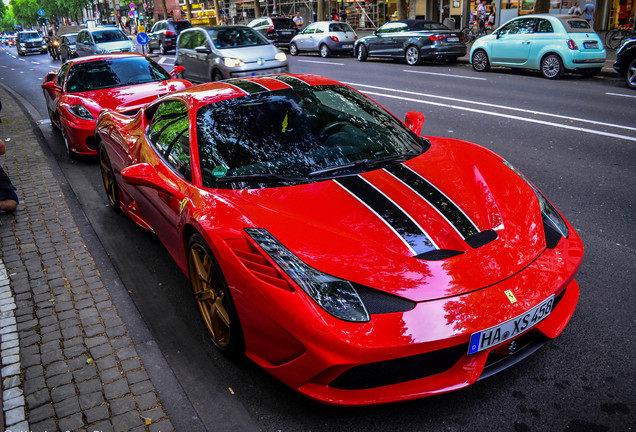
{"type": "Point", "coordinates": [102, 40]}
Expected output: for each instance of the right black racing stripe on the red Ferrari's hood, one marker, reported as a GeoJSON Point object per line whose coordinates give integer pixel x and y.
{"type": "Point", "coordinates": [436, 198]}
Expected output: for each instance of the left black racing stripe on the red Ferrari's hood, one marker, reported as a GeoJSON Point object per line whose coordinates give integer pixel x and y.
{"type": "Point", "coordinates": [393, 215]}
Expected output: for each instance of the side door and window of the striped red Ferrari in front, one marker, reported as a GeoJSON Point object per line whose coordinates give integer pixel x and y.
{"type": "Point", "coordinates": [168, 134]}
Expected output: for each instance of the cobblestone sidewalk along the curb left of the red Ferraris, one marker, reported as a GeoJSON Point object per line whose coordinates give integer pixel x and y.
{"type": "Point", "coordinates": [68, 362]}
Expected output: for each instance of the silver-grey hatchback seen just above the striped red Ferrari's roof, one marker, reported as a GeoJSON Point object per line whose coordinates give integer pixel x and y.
{"type": "Point", "coordinates": [220, 52]}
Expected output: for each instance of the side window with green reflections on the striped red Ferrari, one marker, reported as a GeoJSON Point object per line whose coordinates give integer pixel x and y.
{"type": "Point", "coordinates": [168, 133]}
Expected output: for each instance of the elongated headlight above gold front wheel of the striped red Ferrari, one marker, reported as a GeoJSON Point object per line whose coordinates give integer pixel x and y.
{"type": "Point", "coordinates": [334, 295]}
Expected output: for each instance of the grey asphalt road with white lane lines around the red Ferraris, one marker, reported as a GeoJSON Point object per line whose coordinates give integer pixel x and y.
{"type": "Point", "coordinates": [575, 138]}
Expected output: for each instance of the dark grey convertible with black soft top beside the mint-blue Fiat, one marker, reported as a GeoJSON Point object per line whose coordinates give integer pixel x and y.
{"type": "Point", "coordinates": [412, 40]}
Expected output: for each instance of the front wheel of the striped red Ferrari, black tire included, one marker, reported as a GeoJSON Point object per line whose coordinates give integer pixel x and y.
{"type": "Point", "coordinates": [214, 299]}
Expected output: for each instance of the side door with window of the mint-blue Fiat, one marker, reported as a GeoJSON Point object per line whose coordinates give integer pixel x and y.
{"type": "Point", "coordinates": [511, 46]}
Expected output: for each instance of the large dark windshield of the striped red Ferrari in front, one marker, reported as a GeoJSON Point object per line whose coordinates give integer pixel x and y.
{"type": "Point", "coordinates": [301, 134]}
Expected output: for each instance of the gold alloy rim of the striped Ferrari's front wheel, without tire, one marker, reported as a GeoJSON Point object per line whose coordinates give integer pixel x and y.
{"type": "Point", "coordinates": [209, 294]}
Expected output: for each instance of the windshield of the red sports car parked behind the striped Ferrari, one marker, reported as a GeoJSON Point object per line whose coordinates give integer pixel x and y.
{"type": "Point", "coordinates": [102, 74]}
